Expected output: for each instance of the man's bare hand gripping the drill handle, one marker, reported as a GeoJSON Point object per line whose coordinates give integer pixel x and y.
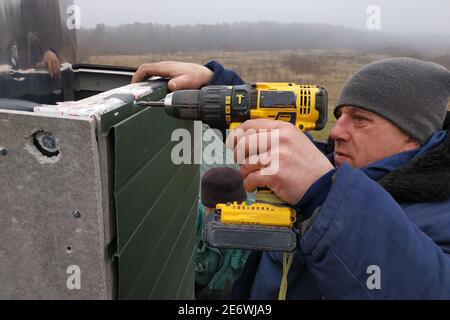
{"type": "Point", "coordinates": [300, 163]}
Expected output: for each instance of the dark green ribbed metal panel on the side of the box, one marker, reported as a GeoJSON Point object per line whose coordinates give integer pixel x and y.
{"type": "Point", "coordinates": [156, 208]}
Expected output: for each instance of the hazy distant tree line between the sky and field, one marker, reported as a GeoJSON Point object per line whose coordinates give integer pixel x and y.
{"type": "Point", "coordinates": [146, 38]}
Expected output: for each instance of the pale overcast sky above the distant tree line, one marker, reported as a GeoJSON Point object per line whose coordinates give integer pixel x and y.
{"type": "Point", "coordinates": [431, 16]}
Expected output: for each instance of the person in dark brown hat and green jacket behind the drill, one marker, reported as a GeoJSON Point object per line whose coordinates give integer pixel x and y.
{"type": "Point", "coordinates": [217, 269]}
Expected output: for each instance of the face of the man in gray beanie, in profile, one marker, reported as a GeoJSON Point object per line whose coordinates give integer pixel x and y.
{"type": "Point", "coordinates": [363, 137]}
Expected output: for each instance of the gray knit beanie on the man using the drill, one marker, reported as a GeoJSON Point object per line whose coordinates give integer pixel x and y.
{"type": "Point", "coordinates": [412, 94]}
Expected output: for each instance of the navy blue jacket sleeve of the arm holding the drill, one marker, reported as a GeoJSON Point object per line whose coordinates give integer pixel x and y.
{"type": "Point", "coordinates": [362, 245]}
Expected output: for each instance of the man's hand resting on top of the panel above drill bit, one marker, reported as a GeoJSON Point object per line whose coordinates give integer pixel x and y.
{"type": "Point", "coordinates": [183, 75]}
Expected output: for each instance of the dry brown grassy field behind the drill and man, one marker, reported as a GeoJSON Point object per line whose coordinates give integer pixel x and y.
{"type": "Point", "coordinates": [327, 68]}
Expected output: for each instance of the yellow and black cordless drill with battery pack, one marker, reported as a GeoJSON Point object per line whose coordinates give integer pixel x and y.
{"type": "Point", "coordinates": [267, 224]}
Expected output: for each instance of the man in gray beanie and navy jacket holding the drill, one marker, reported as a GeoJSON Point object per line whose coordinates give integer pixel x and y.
{"type": "Point", "coordinates": [375, 214]}
